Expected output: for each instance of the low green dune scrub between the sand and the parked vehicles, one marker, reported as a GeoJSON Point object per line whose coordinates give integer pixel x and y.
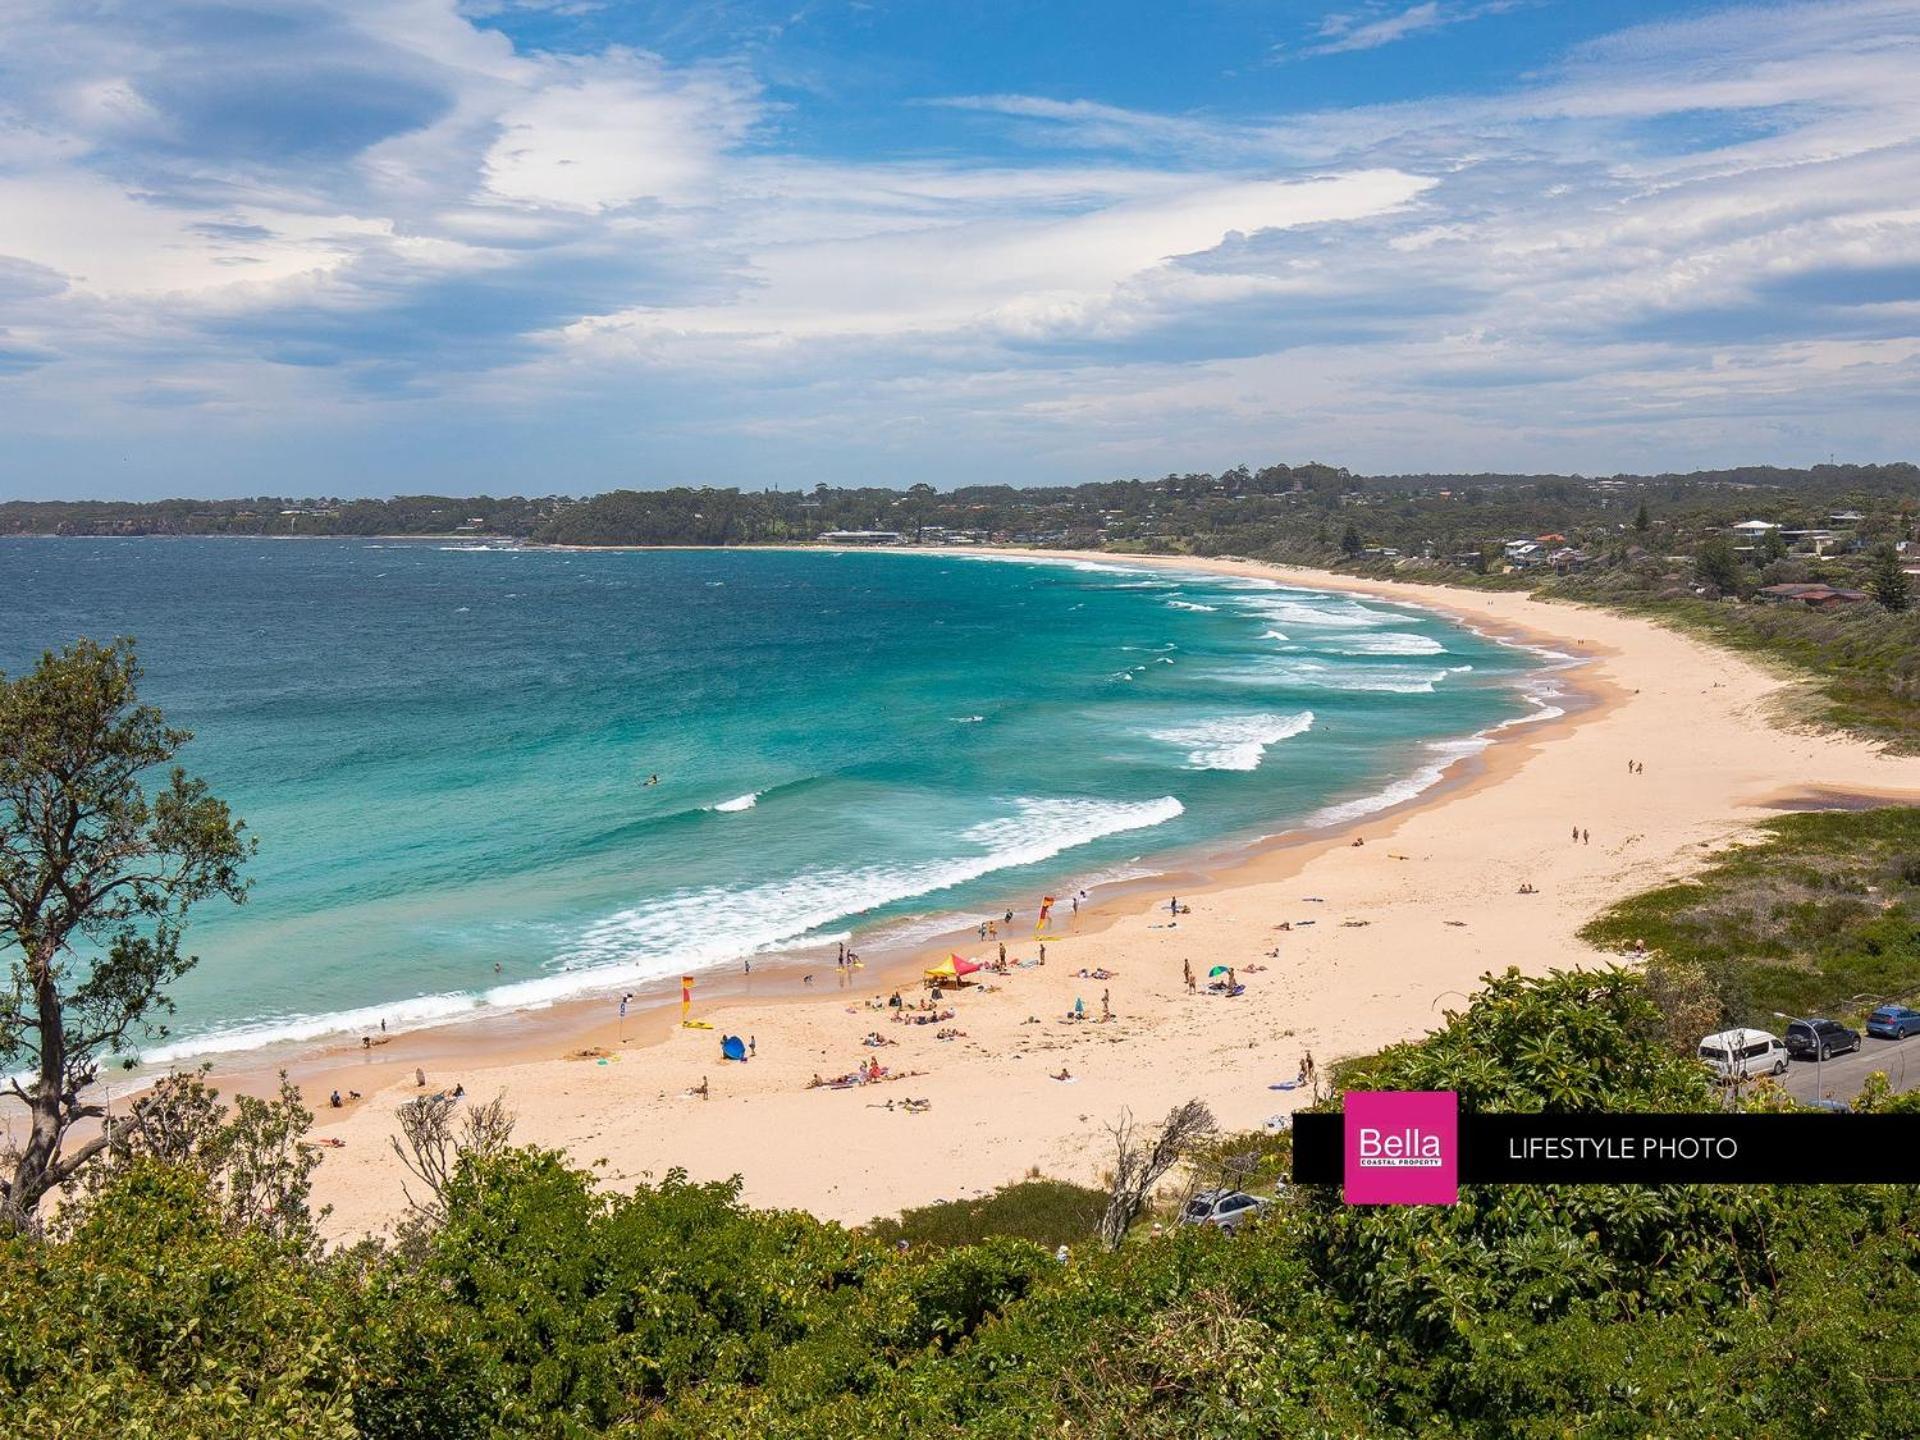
{"type": "Point", "coordinates": [1819, 913]}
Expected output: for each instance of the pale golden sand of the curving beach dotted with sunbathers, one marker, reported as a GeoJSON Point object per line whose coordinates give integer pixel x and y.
{"type": "Point", "coordinates": [1383, 938]}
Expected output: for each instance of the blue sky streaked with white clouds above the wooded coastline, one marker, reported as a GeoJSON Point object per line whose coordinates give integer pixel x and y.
{"type": "Point", "coordinates": [560, 247]}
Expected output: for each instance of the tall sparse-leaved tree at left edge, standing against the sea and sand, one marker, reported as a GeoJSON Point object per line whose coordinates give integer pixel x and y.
{"type": "Point", "coordinates": [97, 878]}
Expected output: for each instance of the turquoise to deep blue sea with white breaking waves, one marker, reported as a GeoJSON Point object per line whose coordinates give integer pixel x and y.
{"type": "Point", "coordinates": [444, 750]}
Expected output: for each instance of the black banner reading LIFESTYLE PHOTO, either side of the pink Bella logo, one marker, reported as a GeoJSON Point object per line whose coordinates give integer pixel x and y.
{"type": "Point", "coordinates": [1735, 1149]}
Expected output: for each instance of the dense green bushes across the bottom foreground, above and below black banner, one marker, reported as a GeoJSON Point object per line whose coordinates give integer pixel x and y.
{"type": "Point", "coordinates": [542, 1307]}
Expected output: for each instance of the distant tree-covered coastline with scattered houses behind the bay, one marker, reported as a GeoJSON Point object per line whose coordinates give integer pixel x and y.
{"type": "Point", "coordinates": [1702, 550]}
